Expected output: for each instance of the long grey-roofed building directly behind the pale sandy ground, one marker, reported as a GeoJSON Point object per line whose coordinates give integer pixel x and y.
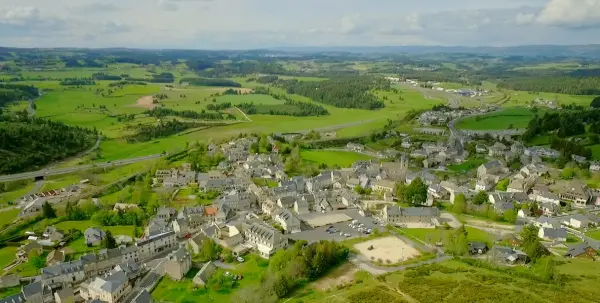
{"type": "Point", "coordinates": [399, 216]}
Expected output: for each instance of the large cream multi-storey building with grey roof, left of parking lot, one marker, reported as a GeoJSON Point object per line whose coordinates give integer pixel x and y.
{"type": "Point", "coordinates": [264, 239]}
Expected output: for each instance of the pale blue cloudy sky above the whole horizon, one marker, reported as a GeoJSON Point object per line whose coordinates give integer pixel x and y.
{"type": "Point", "coordinates": [250, 24]}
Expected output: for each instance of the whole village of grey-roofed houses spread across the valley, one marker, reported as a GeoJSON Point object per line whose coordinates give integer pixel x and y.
{"type": "Point", "coordinates": [360, 201]}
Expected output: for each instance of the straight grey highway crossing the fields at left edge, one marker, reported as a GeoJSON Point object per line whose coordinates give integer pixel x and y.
{"type": "Point", "coordinates": [68, 170]}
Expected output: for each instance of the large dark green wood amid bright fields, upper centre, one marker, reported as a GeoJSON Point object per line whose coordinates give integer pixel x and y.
{"type": "Point", "coordinates": [349, 92]}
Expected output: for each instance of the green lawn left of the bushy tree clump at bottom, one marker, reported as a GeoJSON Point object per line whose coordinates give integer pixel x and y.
{"type": "Point", "coordinates": [186, 291]}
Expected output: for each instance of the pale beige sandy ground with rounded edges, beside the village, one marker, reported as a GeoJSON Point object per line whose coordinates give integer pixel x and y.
{"type": "Point", "coordinates": [388, 248]}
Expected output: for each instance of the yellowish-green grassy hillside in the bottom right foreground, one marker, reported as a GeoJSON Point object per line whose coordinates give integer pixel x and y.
{"type": "Point", "coordinates": [458, 282]}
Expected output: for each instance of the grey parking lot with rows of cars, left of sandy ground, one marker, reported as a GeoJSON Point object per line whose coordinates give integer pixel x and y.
{"type": "Point", "coordinates": [320, 233]}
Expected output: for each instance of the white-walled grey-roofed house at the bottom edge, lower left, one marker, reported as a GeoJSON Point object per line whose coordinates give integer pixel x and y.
{"type": "Point", "coordinates": [110, 289]}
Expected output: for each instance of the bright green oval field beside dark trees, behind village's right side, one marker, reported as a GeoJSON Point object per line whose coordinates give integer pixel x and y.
{"type": "Point", "coordinates": [516, 117]}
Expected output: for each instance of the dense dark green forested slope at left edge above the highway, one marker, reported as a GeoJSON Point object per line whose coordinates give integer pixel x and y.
{"type": "Point", "coordinates": [29, 143]}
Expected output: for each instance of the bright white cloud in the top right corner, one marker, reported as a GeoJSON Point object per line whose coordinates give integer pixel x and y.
{"type": "Point", "coordinates": [571, 13]}
